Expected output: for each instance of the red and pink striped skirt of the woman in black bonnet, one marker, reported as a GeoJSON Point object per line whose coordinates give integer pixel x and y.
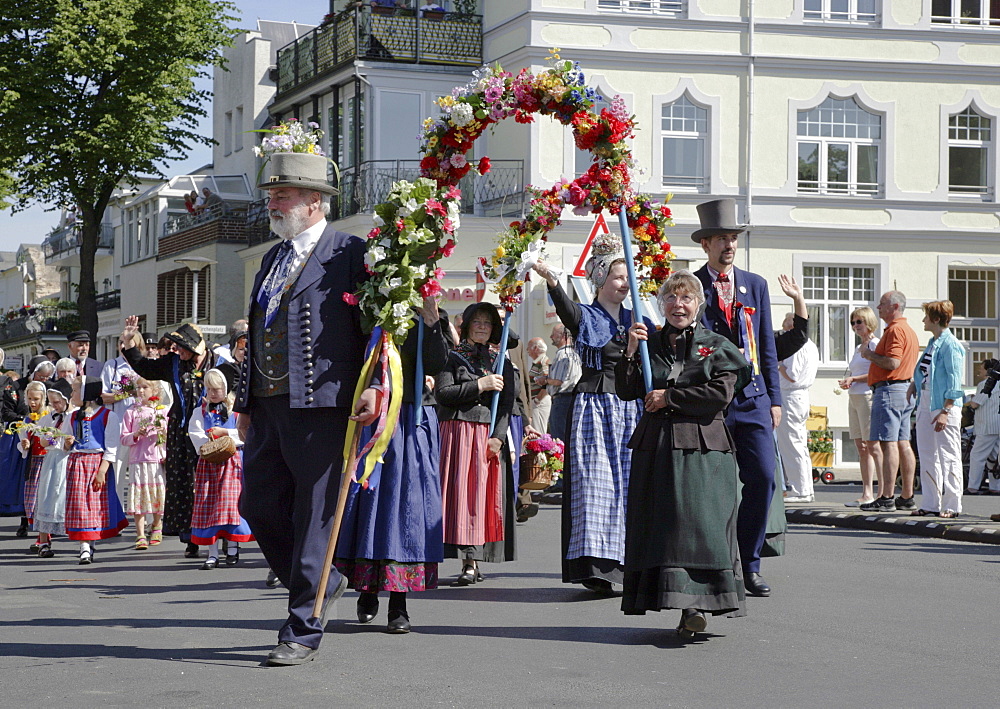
{"type": "Point", "coordinates": [471, 489]}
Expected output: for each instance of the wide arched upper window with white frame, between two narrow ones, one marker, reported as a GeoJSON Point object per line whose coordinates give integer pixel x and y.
{"type": "Point", "coordinates": [838, 149]}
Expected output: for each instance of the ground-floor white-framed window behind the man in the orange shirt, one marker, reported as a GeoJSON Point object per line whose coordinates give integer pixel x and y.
{"type": "Point", "coordinates": [831, 293]}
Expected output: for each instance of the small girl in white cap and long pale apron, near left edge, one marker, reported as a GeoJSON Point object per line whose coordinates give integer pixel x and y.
{"type": "Point", "coordinates": [49, 514]}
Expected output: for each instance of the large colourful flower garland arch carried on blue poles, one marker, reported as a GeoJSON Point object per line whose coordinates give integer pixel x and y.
{"type": "Point", "coordinates": [561, 92]}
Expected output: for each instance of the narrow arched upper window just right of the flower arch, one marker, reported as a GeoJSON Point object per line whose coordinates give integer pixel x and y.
{"type": "Point", "coordinates": [684, 127]}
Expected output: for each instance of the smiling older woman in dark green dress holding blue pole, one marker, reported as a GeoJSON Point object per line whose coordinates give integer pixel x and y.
{"type": "Point", "coordinates": [680, 529]}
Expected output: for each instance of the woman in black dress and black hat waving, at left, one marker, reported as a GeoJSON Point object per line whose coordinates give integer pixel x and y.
{"type": "Point", "coordinates": [183, 370]}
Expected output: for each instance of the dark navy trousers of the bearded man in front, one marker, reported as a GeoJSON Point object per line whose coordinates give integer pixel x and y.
{"type": "Point", "coordinates": [292, 460]}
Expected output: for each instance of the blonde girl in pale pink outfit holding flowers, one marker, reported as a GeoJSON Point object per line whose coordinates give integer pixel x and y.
{"type": "Point", "coordinates": [144, 432]}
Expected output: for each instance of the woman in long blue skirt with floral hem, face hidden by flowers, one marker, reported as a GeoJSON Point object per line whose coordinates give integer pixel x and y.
{"type": "Point", "coordinates": [391, 540]}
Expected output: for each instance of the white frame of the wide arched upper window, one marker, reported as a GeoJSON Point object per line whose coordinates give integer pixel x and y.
{"type": "Point", "coordinates": [854, 143]}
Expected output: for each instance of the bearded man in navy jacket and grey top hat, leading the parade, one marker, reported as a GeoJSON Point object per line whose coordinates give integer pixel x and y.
{"type": "Point", "coordinates": [304, 356]}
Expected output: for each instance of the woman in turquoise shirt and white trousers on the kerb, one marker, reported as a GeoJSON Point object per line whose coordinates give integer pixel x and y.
{"type": "Point", "coordinates": [937, 382]}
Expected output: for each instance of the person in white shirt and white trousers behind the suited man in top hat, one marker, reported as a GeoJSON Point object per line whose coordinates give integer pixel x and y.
{"type": "Point", "coordinates": [798, 372]}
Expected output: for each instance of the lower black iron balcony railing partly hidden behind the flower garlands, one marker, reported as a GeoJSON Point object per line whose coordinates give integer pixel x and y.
{"type": "Point", "coordinates": [498, 193]}
